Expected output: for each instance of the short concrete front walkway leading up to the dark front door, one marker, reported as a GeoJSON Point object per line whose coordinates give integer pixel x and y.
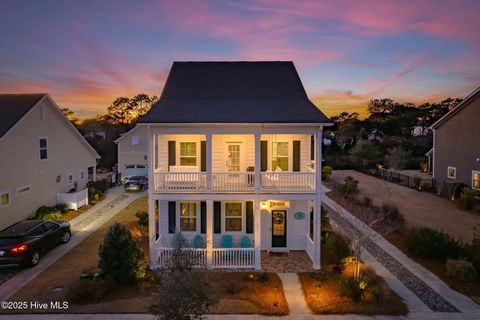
{"type": "Point", "coordinates": [294, 293]}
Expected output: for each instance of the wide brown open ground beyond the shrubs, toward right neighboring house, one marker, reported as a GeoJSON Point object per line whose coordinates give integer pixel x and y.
{"type": "Point", "coordinates": [420, 209]}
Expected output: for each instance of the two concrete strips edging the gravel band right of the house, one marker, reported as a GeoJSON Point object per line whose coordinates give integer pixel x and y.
{"type": "Point", "coordinates": [415, 305]}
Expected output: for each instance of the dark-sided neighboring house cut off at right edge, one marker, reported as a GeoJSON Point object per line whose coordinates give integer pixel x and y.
{"type": "Point", "coordinates": [456, 145]}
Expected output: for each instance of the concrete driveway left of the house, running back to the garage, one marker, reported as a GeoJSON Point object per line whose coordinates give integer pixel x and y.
{"type": "Point", "coordinates": [82, 226]}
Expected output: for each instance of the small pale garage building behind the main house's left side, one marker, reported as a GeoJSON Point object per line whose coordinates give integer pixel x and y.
{"type": "Point", "coordinates": [132, 148]}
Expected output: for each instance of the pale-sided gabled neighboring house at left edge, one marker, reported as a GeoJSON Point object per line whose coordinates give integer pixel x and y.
{"type": "Point", "coordinates": [43, 157]}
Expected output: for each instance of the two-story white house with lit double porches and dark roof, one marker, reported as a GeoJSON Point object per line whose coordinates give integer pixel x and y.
{"type": "Point", "coordinates": [234, 151]}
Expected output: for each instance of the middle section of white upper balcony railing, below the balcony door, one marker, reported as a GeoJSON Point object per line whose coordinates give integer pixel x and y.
{"type": "Point", "coordinates": [233, 181]}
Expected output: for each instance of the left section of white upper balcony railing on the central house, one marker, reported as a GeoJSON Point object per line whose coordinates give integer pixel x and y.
{"type": "Point", "coordinates": [180, 180]}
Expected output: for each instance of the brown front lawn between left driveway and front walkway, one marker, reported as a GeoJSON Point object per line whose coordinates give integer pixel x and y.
{"type": "Point", "coordinates": [236, 291]}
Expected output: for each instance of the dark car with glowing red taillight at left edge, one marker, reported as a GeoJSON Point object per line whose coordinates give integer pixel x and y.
{"type": "Point", "coordinates": [26, 241]}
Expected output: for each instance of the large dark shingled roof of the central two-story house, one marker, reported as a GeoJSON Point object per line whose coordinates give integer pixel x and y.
{"type": "Point", "coordinates": [234, 92]}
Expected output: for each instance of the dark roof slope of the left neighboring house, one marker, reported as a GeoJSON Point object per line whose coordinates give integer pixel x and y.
{"type": "Point", "coordinates": [13, 107]}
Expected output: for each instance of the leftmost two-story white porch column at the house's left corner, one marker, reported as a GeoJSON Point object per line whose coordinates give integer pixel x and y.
{"type": "Point", "coordinates": [151, 201]}
